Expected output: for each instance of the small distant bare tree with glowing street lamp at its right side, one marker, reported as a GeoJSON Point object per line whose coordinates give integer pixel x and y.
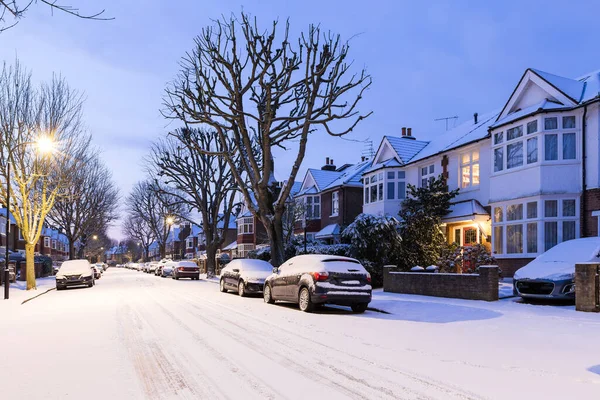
{"type": "Point", "coordinates": [157, 208]}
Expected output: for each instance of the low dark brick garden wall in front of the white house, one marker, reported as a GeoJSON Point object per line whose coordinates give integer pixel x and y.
{"type": "Point", "coordinates": [481, 286]}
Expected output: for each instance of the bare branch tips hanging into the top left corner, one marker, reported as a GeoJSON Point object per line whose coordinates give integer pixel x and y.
{"type": "Point", "coordinates": [16, 9]}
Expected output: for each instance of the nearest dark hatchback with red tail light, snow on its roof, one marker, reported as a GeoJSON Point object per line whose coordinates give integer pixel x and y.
{"type": "Point", "coordinates": [314, 279]}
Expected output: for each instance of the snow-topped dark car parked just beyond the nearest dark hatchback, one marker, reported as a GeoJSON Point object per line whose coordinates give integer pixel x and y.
{"type": "Point", "coordinates": [245, 276]}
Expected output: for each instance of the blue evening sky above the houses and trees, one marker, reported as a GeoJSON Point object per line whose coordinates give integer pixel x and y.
{"type": "Point", "coordinates": [428, 60]}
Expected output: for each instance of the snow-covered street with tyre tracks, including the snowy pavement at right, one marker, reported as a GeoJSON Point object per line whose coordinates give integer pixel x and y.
{"type": "Point", "coordinates": [137, 336]}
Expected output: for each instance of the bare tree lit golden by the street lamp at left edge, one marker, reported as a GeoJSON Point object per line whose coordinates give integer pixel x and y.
{"type": "Point", "coordinates": [49, 115]}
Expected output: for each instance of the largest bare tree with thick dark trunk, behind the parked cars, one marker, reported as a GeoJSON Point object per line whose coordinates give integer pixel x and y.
{"type": "Point", "coordinates": [256, 89]}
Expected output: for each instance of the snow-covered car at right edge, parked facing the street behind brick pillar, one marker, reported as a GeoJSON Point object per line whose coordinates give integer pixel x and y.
{"type": "Point", "coordinates": [551, 275]}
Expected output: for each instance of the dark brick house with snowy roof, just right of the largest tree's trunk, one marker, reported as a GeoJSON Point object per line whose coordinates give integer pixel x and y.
{"type": "Point", "coordinates": [332, 199]}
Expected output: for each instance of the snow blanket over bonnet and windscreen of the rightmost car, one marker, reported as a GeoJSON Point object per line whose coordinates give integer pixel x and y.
{"type": "Point", "coordinates": [559, 262]}
